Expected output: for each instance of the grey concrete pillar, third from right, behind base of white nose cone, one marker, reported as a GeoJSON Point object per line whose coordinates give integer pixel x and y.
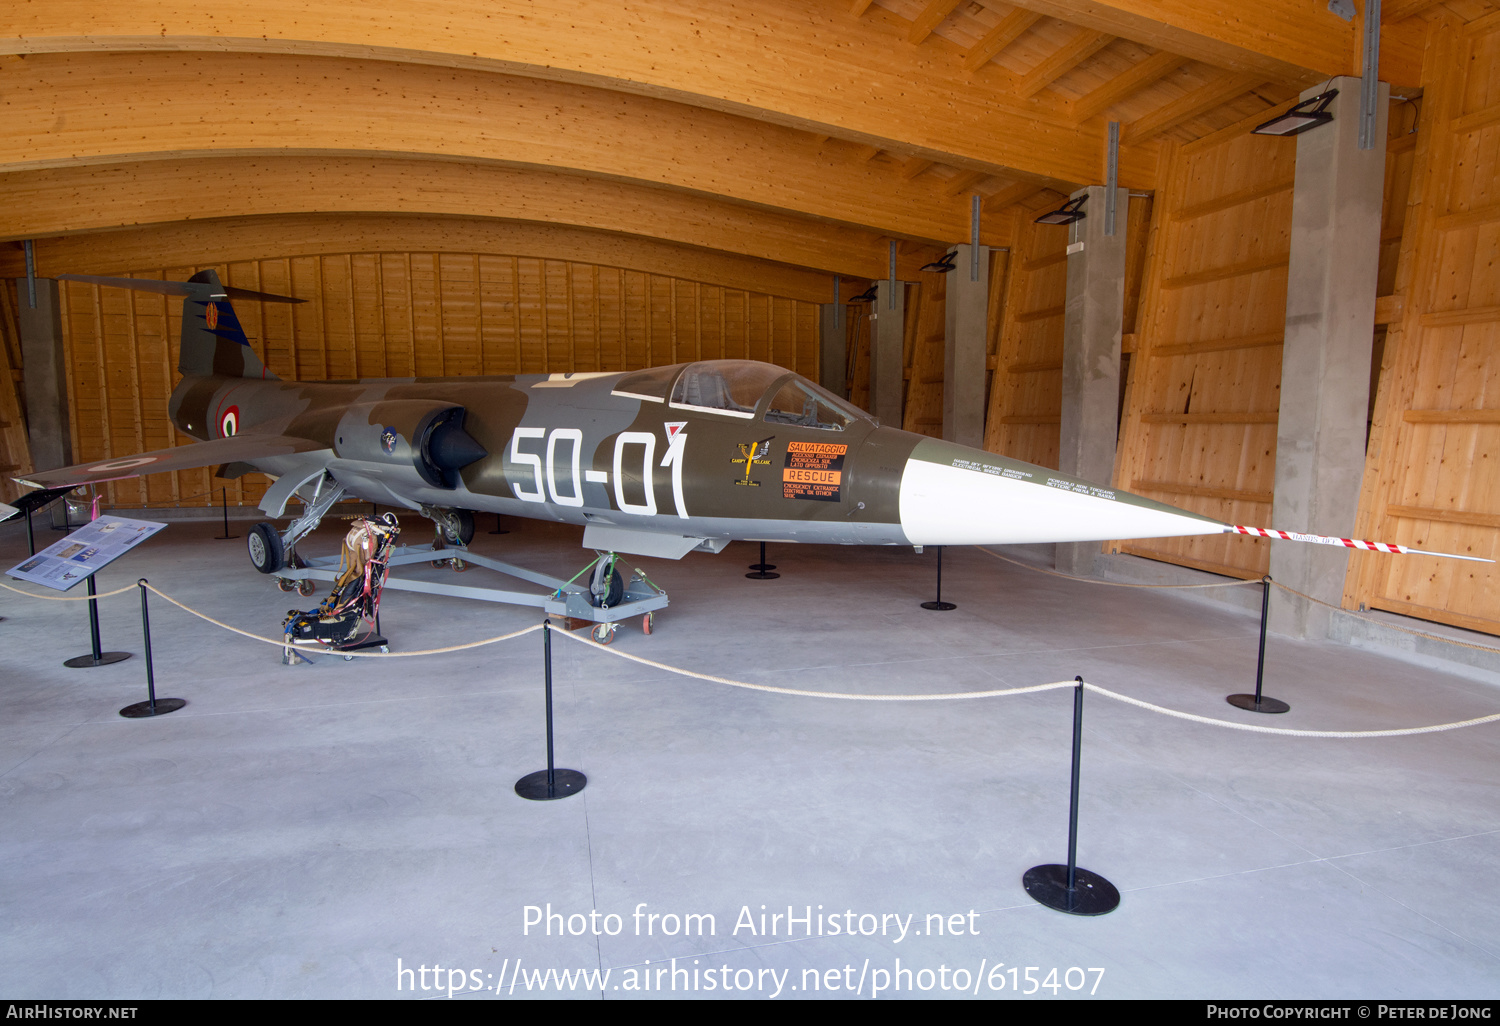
{"type": "Point", "coordinates": [968, 305]}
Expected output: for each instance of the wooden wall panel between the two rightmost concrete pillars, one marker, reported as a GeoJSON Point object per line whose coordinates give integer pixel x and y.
{"type": "Point", "coordinates": [1205, 380]}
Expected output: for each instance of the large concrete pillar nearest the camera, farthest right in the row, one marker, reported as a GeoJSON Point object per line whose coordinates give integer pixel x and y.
{"type": "Point", "coordinates": [1325, 358]}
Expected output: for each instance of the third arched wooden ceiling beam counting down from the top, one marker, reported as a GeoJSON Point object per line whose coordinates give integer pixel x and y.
{"type": "Point", "coordinates": [88, 200]}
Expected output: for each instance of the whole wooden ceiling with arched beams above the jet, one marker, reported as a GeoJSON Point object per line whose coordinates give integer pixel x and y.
{"type": "Point", "coordinates": [802, 134]}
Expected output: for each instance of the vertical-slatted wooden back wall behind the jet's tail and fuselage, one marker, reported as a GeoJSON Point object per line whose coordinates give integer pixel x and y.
{"type": "Point", "coordinates": [400, 316]}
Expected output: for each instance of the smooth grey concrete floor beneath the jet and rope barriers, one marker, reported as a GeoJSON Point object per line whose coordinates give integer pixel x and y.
{"type": "Point", "coordinates": [296, 832]}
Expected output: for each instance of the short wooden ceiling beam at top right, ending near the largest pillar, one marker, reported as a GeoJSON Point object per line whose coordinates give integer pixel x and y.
{"type": "Point", "coordinates": [1288, 41]}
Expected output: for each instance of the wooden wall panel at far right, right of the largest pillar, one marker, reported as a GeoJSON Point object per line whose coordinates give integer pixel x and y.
{"type": "Point", "coordinates": [1432, 479]}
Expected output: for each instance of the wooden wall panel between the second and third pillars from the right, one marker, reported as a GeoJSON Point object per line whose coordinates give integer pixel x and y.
{"type": "Point", "coordinates": [1025, 406]}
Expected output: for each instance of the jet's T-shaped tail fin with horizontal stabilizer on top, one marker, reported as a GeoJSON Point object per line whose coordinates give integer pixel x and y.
{"type": "Point", "coordinates": [212, 340]}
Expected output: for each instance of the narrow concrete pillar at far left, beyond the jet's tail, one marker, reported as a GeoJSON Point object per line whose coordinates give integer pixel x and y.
{"type": "Point", "coordinates": [46, 376]}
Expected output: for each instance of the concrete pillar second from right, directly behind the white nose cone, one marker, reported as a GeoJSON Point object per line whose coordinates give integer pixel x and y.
{"type": "Point", "coordinates": [1091, 356]}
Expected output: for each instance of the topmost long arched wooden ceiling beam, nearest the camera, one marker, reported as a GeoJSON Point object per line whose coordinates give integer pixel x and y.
{"type": "Point", "coordinates": [833, 73]}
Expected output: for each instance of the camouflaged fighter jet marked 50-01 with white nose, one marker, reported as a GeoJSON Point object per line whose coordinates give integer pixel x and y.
{"type": "Point", "coordinates": [655, 463]}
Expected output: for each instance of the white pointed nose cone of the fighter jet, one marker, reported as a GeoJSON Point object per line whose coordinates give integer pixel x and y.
{"type": "Point", "coordinates": [958, 496]}
